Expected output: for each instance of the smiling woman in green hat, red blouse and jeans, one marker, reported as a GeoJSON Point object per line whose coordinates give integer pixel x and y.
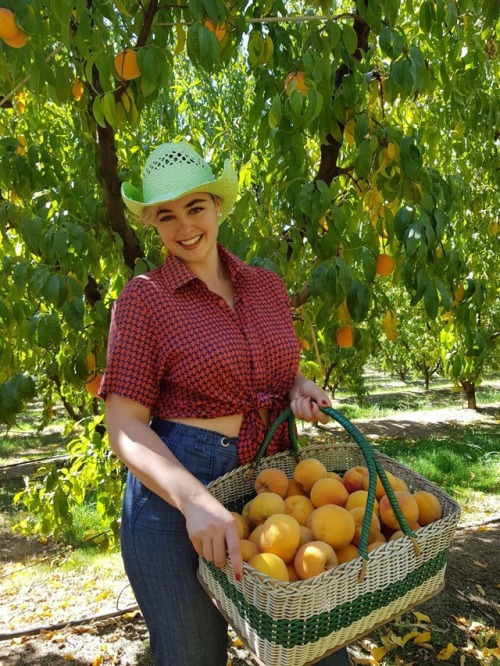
{"type": "Point", "coordinates": [202, 355]}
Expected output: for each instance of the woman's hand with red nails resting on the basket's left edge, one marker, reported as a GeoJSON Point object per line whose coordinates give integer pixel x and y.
{"type": "Point", "coordinates": [213, 532]}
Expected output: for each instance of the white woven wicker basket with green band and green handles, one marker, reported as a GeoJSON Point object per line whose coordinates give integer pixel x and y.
{"type": "Point", "coordinates": [293, 624]}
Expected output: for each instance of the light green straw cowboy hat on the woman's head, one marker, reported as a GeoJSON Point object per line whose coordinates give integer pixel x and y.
{"type": "Point", "coordinates": [174, 170]}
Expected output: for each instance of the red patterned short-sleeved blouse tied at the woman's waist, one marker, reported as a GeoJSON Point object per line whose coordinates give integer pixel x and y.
{"type": "Point", "coordinates": [178, 348]}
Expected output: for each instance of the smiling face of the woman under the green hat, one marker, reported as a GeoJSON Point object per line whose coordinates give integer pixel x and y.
{"type": "Point", "coordinates": [189, 226]}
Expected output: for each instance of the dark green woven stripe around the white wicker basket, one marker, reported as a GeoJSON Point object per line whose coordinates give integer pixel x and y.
{"type": "Point", "coordinates": [291, 633]}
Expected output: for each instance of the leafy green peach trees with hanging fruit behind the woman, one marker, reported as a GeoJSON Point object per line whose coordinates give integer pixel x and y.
{"type": "Point", "coordinates": [364, 133]}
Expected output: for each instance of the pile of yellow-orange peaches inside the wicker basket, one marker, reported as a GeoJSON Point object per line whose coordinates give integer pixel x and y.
{"type": "Point", "coordinates": [296, 528]}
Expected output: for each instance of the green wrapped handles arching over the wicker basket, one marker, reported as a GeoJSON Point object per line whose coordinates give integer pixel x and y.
{"type": "Point", "coordinates": [372, 462]}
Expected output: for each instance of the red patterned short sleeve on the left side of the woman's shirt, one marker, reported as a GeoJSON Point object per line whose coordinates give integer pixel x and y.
{"type": "Point", "coordinates": [132, 355]}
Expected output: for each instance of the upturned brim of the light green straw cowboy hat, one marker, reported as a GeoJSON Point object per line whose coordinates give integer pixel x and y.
{"type": "Point", "coordinates": [225, 187]}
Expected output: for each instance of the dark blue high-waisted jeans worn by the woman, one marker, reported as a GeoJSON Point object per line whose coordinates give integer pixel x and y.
{"type": "Point", "coordinates": [185, 627]}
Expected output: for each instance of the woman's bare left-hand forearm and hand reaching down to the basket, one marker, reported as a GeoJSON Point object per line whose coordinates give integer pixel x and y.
{"type": "Point", "coordinates": [210, 526]}
